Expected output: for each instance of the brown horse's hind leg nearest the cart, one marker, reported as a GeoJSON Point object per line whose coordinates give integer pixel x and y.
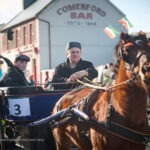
{"type": "Point", "coordinates": [61, 140]}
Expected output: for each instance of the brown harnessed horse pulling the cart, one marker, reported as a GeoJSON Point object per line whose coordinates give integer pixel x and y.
{"type": "Point", "coordinates": [115, 113]}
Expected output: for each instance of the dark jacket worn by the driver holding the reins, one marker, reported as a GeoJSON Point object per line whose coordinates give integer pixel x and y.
{"type": "Point", "coordinates": [63, 71]}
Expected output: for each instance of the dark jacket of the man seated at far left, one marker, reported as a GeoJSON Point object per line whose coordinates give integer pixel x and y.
{"type": "Point", "coordinates": [14, 77]}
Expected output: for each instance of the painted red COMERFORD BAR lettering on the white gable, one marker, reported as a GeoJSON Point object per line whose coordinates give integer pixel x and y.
{"type": "Point", "coordinates": [81, 14]}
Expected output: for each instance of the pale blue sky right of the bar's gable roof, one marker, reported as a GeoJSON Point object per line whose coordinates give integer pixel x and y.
{"type": "Point", "coordinates": [137, 11]}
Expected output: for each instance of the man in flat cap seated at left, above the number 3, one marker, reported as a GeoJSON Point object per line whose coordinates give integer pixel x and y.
{"type": "Point", "coordinates": [15, 75]}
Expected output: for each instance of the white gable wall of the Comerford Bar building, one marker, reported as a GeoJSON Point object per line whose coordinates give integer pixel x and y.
{"type": "Point", "coordinates": [96, 46]}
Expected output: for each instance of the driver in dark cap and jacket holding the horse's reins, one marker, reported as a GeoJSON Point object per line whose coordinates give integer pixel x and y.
{"type": "Point", "coordinates": [74, 68]}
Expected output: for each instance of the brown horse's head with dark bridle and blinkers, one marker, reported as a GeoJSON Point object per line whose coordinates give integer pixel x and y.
{"type": "Point", "coordinates": [134, 50]}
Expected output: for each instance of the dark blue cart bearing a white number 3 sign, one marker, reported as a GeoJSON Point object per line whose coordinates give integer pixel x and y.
{"type": "Point", "coordinates": [23, 105]}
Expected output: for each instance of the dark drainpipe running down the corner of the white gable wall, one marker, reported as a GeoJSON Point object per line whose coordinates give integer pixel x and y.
{"type": "Point", "coordinates": [49, 42]}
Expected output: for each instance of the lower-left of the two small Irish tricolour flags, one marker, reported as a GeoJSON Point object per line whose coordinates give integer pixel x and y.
{"type": "Point", "coordinates": [111, 32]}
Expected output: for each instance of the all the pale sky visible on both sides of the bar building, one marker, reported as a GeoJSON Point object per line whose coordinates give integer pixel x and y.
{"type": "Point", "coordinates": [137, 11]}
